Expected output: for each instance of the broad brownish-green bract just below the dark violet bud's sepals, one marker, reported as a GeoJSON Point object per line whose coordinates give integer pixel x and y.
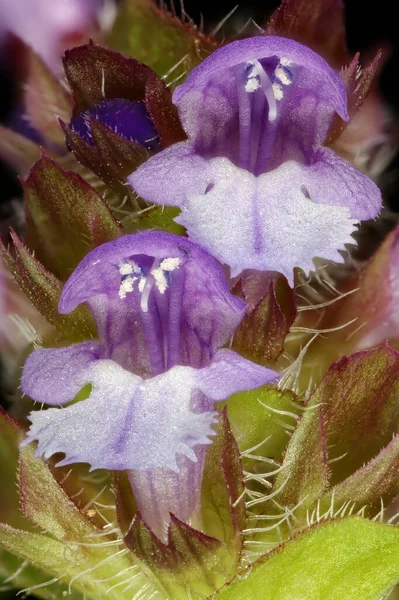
{"type": "Point", "coordinates": [66, 218]}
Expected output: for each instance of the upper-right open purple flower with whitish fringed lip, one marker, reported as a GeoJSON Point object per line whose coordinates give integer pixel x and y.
{"type": "Point", "coordinates": [255, 186]}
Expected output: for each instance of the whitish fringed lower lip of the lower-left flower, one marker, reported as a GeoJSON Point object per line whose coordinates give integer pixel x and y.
{"type": "Point", "coordinates": [127, 422]}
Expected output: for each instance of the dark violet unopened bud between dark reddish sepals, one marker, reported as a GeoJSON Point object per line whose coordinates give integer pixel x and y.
{"type": "Point", "coordinates": [127, 118]}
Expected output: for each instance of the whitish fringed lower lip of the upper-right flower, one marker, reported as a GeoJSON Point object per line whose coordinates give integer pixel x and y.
{"type": "Point", "coordinates": [266, 223]}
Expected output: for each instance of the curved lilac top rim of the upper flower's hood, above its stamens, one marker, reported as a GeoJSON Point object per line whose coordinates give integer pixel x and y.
{"type": "Point", "coordinates": [243, 51]}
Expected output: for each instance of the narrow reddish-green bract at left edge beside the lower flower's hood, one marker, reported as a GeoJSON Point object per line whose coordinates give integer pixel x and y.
{"type": "Point", "coordinates": [44, 291]}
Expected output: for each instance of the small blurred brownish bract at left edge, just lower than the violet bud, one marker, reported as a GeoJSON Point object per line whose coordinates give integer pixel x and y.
{"type": "Point", "coordinates": [17, 151]}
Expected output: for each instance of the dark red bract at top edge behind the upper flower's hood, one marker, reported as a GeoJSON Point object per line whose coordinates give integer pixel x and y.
{"type": "Point", "coordinates": [319, 25]}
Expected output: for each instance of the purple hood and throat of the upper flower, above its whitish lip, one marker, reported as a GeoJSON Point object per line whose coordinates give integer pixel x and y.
{"type": "Point", "coordinates": [259, 102]}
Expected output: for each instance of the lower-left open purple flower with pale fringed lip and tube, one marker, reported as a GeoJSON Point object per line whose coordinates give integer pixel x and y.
{"type": "Point", "coordinates": [163, 310]}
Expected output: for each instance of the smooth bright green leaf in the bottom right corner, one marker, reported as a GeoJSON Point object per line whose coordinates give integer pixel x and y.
{"type": "Point", "coordinates": [350, 558]}
